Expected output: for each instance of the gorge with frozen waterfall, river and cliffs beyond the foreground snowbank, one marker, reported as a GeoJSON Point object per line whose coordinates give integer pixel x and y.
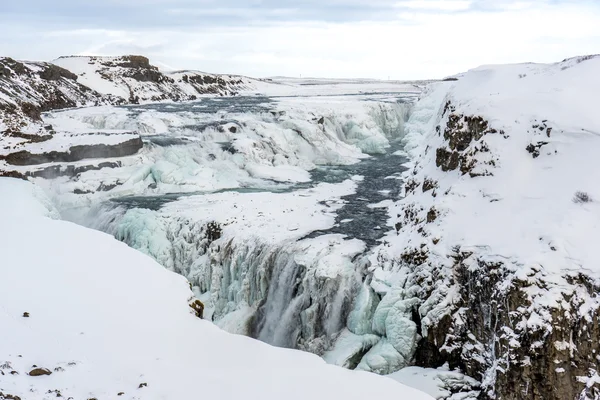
{"type": "Point", "coordinates": [437, 229]}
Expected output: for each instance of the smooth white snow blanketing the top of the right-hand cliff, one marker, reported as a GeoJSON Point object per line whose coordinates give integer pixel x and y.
{"type": "Point", "coordinates": [525, 211]}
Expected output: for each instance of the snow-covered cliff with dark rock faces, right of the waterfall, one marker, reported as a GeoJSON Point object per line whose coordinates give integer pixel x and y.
{"type": "Point", "coordinates": [495, 242]}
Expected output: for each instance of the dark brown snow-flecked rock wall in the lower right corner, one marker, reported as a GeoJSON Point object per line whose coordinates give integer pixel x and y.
{"type": "Point", "coordinates": [484, 336]}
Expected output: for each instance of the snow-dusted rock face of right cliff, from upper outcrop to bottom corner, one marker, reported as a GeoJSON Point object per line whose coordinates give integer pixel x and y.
{"type": "Point", "coordinates": [523, 332]}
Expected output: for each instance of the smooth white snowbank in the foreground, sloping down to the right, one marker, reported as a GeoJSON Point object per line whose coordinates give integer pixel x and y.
{"type": "Point", "coordinates": [84, 316]}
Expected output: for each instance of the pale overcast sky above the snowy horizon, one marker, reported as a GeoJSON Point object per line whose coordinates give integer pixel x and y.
{"type": "Point", "coordinates": [399, 39]}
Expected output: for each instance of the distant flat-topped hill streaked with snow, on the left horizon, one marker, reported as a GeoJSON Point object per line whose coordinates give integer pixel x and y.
{"type": "Point", "coordinates": [133, 78]}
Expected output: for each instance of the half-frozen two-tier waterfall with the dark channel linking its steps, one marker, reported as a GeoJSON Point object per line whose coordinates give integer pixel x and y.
{"type": "Point", "coordinates": [289, 293]}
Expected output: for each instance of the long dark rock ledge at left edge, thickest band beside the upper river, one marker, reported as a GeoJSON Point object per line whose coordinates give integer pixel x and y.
{"type": "Point", "coordinates": [76, 153]}
